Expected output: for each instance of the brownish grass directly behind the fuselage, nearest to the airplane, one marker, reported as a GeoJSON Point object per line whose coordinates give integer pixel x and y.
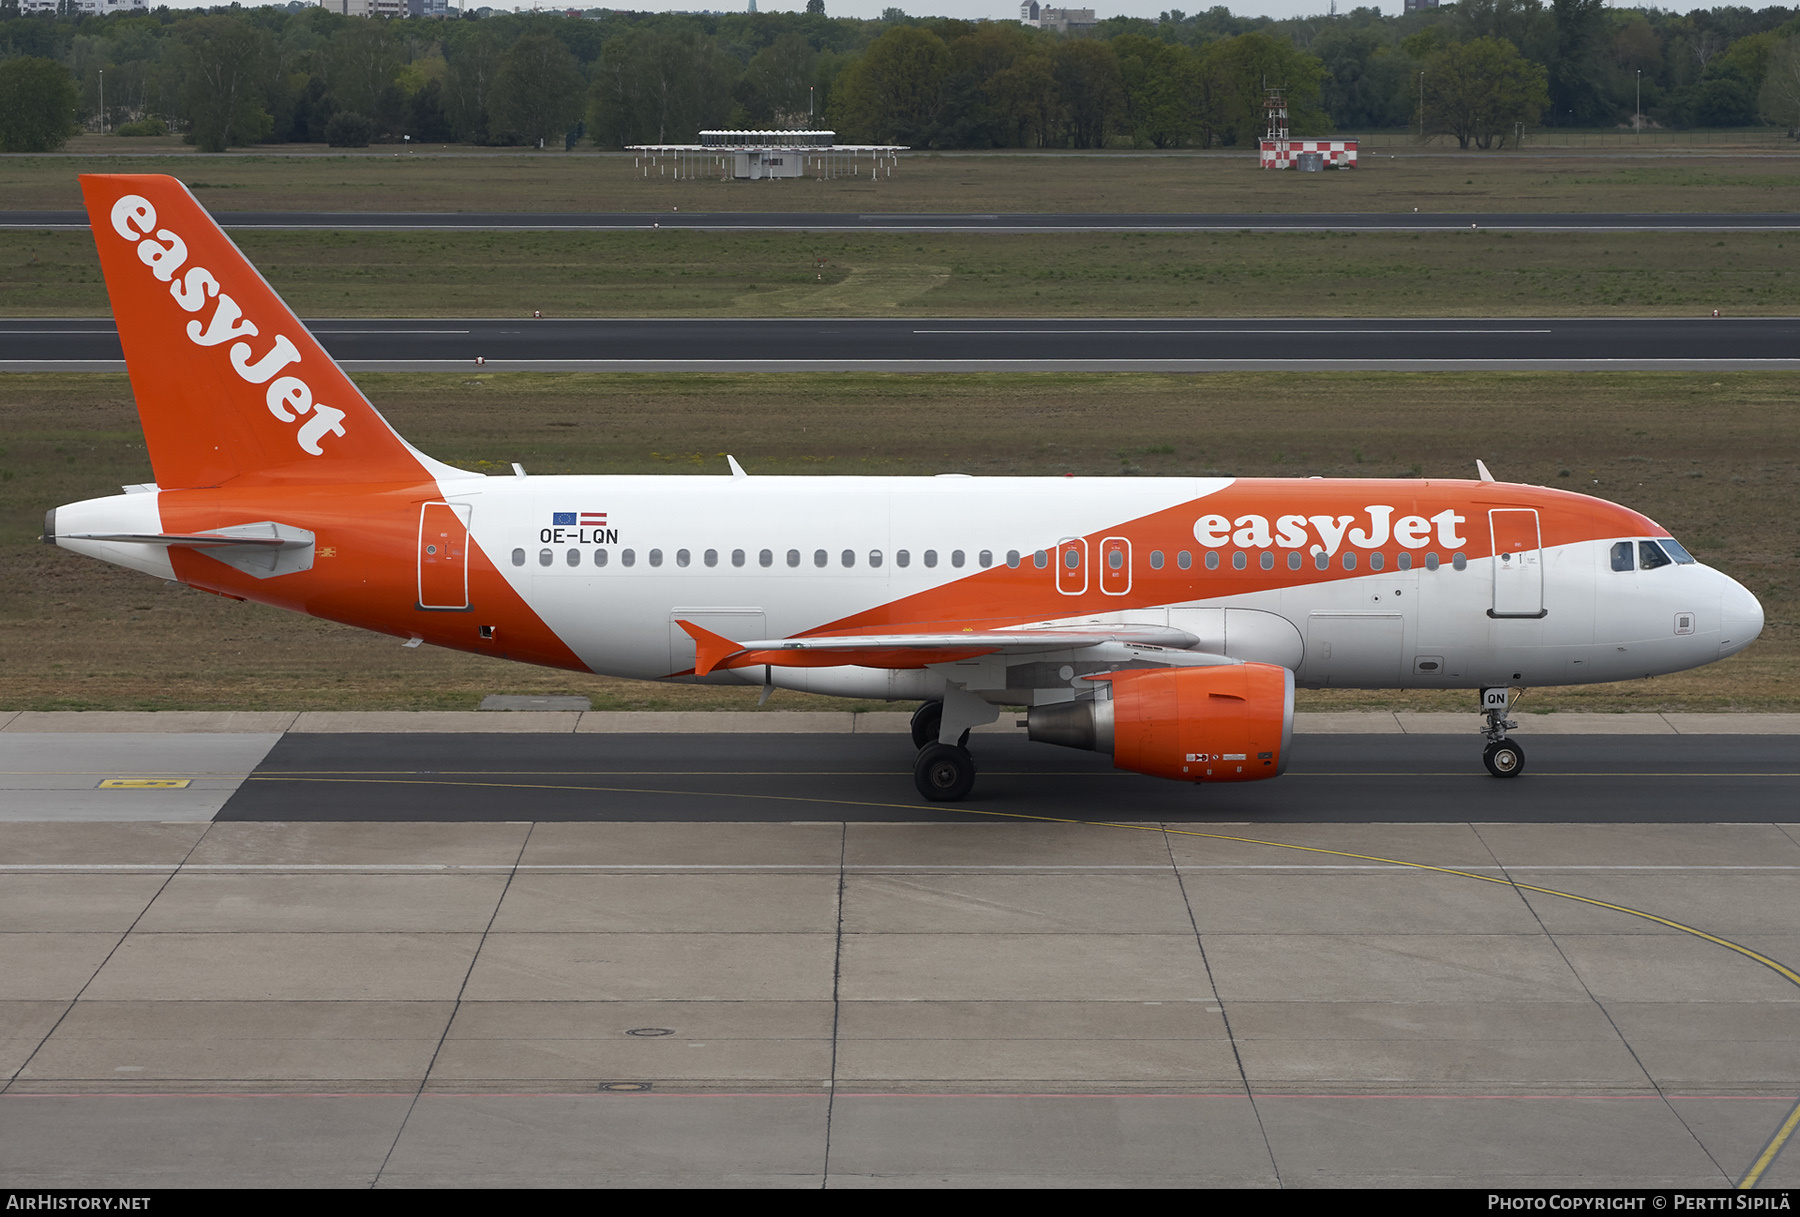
{"type": "Point", "coordinates": [1716, 458]}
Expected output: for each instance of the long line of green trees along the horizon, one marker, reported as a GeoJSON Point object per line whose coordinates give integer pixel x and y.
{"type": "Point", "coordinates": [1480, 71]}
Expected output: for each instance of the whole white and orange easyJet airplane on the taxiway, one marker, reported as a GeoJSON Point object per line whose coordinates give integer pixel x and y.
{"type": "Point", "coordinates": [1165, 622]}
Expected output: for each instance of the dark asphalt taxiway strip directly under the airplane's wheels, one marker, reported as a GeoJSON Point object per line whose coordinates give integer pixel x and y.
{"type": "Point", "coordinates": [784, 779]}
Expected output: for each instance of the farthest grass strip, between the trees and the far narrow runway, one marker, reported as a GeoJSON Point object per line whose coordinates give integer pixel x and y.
{"type": "Point", "coordinates": [1750, 174]}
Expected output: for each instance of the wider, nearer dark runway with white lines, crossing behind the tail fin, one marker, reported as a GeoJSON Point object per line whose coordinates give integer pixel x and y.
{"type": "Point", "coordinates": [982, 345]}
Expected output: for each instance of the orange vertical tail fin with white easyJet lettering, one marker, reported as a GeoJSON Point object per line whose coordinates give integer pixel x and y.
{"type": "Point", "coordinates": [229, 384]}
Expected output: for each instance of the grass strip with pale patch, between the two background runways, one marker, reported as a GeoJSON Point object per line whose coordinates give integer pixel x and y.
{"type": "Point", "coordinates": [771, 275]}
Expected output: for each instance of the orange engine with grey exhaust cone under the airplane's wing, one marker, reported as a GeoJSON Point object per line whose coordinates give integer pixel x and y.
{"type": "Point", "coordinates": [1192, 725]}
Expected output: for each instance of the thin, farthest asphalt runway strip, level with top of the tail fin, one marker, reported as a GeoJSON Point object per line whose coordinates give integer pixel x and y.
{"type": "Point", "coordinates": [964, 222]}
